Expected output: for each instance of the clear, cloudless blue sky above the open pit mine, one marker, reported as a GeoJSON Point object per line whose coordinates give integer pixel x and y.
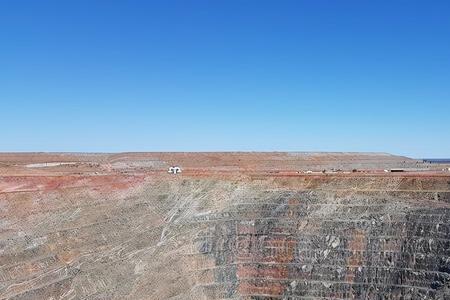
{"type": "Point", "coordinates": [225, 75]}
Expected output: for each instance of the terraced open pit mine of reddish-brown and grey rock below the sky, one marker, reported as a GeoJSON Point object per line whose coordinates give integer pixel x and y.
{"type": "Point", "coordinates": [223, 226]}
